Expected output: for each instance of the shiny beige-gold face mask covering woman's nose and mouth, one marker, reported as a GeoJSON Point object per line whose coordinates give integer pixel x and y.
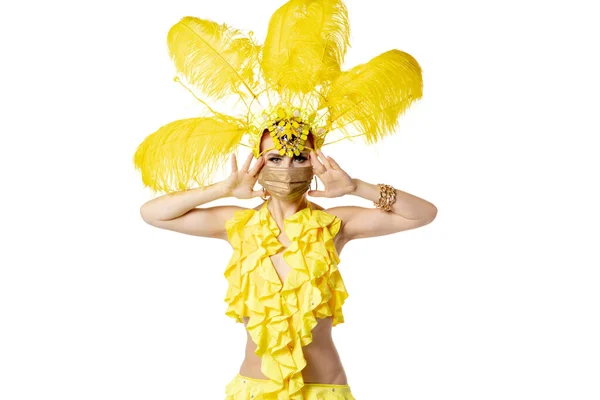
{"type": "Point", "coordinates": [286, 183]}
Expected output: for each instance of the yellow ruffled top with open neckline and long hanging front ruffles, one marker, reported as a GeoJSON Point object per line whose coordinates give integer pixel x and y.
{"type": "Point", "coordinates": [282, 315]}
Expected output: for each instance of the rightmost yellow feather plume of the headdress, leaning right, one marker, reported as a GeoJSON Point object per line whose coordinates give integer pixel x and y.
{"type": "Point", "coordinates": [371, 97]}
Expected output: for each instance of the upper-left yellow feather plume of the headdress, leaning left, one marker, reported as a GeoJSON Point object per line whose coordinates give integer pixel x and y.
{"type": "Point", "coordinates": [214, 57]}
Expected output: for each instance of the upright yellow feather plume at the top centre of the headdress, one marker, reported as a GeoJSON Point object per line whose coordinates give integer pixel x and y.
{"type": "Point", "coordinates": [305, 44]}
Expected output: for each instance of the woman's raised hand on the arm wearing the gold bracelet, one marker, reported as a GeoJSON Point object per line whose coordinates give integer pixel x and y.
{"type": "Point", "coordinates": [337, 182]}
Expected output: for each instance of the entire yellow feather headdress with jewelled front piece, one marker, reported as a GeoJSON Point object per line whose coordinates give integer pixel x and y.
{"type": "Point", "coordinates": [291, 85]}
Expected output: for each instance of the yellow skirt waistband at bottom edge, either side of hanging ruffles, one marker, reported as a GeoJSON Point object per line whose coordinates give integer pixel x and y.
{"type": "Point", "coordinates": [245, 388]}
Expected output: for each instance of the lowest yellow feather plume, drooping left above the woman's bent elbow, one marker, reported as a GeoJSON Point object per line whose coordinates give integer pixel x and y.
{"type": "Point", "coordinates": [187, 151]}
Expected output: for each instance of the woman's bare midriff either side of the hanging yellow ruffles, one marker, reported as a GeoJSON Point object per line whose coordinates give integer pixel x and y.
{"type": "Point", "coordinates": [323, 364]}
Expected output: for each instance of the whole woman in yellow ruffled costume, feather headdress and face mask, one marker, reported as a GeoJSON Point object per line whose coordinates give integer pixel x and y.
{"type": "Point", "coordinates": [284, 284]}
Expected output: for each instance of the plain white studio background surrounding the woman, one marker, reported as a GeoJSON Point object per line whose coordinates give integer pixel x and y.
{"type": "Point", "coordinates": [496, 299]}
